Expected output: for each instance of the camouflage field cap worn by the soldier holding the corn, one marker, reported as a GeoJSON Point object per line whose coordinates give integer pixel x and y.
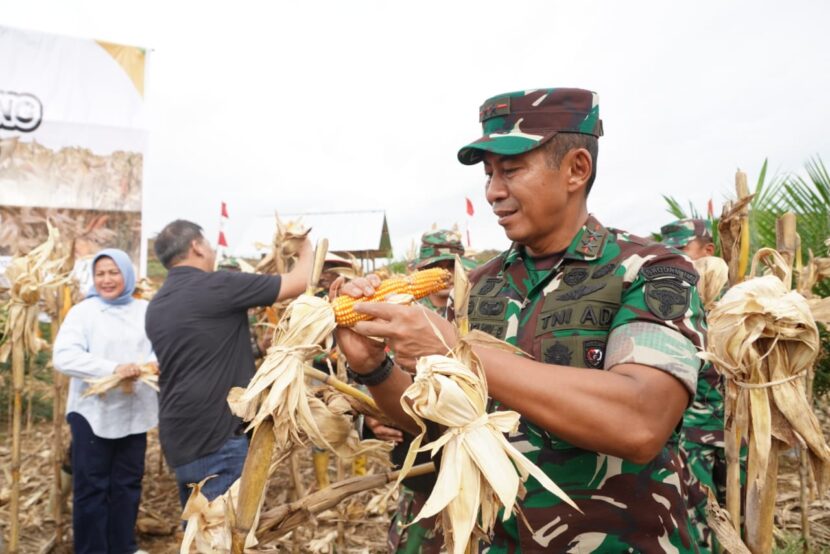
{"type": "Point", "coordinates": [518, 122]}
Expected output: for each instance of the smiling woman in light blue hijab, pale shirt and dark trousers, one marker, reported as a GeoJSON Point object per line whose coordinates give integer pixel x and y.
{"type": "Point", "coordinates": [101, 336]}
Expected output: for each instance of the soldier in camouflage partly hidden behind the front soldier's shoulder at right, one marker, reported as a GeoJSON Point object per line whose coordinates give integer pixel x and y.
{"type": "Point", "coordinates": [702, 445]}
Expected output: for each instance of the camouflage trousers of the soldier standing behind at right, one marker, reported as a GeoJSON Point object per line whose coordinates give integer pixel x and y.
{"type": "Point", "coordinates": [704, 467]}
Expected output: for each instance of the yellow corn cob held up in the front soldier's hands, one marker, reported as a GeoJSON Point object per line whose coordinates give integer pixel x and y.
{"type": "Point", "coordinates": [419, 284]}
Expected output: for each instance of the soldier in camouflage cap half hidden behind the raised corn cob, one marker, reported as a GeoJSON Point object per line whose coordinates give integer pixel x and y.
{"type": "Point", "coordinates": [438, 249]}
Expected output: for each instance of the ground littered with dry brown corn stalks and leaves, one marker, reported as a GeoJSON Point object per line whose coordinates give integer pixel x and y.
{"type": "Point", "coordinates": [365, 516]}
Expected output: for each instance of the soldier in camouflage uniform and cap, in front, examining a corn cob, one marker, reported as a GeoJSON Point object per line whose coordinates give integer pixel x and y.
{"type": "Point", "coordinates": [612, 322]}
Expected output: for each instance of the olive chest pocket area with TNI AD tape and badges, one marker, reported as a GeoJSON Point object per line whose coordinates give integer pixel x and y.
{"type": "Point", "coordinates": [573, 323]}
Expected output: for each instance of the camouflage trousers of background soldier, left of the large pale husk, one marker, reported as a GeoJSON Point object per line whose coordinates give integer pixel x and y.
{"type": "Point", "coordinates": [418, 538]}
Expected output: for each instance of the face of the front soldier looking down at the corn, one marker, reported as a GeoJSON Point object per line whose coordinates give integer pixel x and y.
{"type": "Point", "coordinates": [527, 196]}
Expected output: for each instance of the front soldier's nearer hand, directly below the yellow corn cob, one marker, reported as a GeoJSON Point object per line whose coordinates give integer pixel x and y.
{"type": "Point", "coordinates": [410, 331]}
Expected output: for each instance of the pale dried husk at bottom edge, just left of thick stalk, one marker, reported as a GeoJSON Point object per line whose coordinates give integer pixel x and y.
{"type": "Point", "coordinates": [209, 522]}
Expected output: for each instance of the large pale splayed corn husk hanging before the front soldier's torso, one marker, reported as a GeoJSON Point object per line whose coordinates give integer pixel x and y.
{"type": "Point", "coordinates": [480, 470]}
